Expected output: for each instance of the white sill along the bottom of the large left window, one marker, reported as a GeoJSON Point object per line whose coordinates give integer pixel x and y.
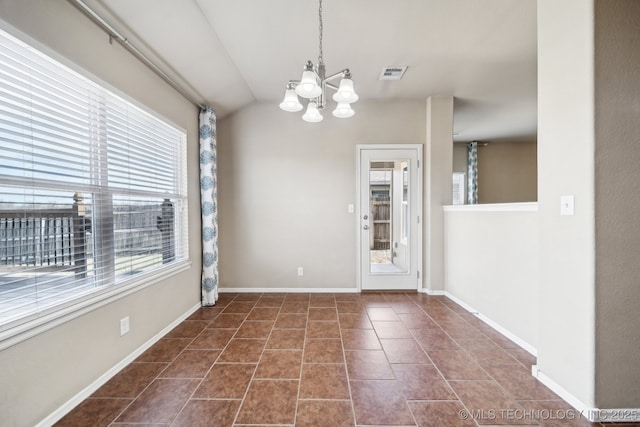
{"type": "Point", "coordinates": [20, 330]}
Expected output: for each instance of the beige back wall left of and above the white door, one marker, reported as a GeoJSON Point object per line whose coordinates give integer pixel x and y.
{"type": "Point", "coordinates": [284, 187]}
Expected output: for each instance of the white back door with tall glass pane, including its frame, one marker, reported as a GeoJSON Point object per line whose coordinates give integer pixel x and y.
{"type": "Point", "coordinates": [389, 217]}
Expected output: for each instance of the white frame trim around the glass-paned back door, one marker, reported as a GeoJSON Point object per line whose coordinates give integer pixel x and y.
{"type": "Point", "coordinates": [418, 229]}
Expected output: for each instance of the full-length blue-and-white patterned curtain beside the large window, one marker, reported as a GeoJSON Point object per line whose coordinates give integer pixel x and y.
{"type": "Point", "coordinates": [209, 206]}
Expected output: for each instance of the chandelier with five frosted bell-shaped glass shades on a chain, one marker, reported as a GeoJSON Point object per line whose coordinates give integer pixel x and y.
{"type": "Point", "coordinates": [312, 86]}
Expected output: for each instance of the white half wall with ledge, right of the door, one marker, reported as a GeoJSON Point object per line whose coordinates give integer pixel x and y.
{"type": "Point", "coordinates": [491, 264]}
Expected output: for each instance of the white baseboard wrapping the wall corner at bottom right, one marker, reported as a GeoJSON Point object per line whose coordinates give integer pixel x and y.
{"type": "Point", "coordinates": [594, 415]}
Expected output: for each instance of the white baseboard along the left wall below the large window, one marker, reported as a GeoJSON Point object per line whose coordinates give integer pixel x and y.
{"type": "Point", "coordinates": [56, 415]}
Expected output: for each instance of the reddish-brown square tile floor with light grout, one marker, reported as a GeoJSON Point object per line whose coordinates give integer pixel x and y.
{"type": "Point", "coordinates": [371, 359]}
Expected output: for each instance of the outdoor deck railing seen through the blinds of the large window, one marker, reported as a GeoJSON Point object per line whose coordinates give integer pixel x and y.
{"type": "Point", "coordinates": [61, 237]}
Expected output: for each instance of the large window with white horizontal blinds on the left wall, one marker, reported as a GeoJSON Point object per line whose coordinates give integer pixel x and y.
{"type": "Point", "coordinates": [92, 187]}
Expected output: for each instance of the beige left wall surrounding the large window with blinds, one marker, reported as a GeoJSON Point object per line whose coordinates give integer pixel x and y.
{"type": "Point", "coordinates": [39, 375]}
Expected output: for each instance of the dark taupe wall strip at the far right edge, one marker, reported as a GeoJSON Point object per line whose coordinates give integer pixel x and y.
{"type": "Point", "coordinates": [617, 200]}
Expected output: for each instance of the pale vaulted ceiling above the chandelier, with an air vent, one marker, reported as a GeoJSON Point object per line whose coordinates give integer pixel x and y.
{"type": "Point", "coordinates": [231, 53]}
